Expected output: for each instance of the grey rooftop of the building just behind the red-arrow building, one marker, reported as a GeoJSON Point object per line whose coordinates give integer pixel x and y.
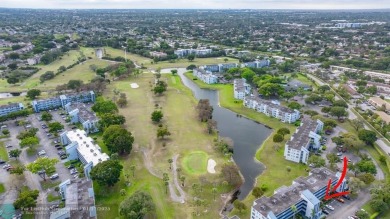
{"type": "Point", "coordinates": [301, 137]}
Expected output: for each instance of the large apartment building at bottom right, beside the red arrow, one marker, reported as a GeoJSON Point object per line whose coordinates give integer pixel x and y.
{"type": "Point", "coordinates": [305, 194]}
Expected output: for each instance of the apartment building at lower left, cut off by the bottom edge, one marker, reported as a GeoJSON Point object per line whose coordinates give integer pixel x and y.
{"type": "Point", "coordinates": [79, 200]}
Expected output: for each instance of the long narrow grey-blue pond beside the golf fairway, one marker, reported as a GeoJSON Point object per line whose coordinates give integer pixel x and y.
{"type": "Point", "coordinates": [246, 134]}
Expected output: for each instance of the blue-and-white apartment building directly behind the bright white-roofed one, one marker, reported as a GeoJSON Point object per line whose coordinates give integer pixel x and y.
{"type": "Point", "coordinates": [80, 113]}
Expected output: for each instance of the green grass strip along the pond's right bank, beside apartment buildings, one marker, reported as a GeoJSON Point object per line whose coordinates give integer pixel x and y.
{"type": "Point", "coordinates": [275, 174]}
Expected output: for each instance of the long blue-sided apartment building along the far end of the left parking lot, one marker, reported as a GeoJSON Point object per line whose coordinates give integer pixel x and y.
{"type": "Point", "coordinates": [62, 100]}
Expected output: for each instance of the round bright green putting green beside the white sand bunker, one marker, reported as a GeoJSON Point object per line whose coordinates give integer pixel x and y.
{"type": "Point", "coordinates": [195, 162]}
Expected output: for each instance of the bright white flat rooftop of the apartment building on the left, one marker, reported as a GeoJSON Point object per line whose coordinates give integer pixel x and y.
{"type": "Point", "coordinates": [86, 147]}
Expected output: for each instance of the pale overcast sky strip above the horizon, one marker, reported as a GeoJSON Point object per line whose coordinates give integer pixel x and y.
{"type": "Point", "coordinates": [197, 4]}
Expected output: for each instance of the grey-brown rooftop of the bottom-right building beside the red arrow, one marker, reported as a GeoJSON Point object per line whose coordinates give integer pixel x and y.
{"type": "Point", "coordinates": [286, 196]}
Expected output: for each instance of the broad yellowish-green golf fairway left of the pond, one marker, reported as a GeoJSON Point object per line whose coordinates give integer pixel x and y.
{"type": "Point", "coordinates": [188, 135]}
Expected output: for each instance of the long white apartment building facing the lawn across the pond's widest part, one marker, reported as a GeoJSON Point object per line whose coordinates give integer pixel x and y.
{"type": "Point", "coordinates": [272, 109]}
